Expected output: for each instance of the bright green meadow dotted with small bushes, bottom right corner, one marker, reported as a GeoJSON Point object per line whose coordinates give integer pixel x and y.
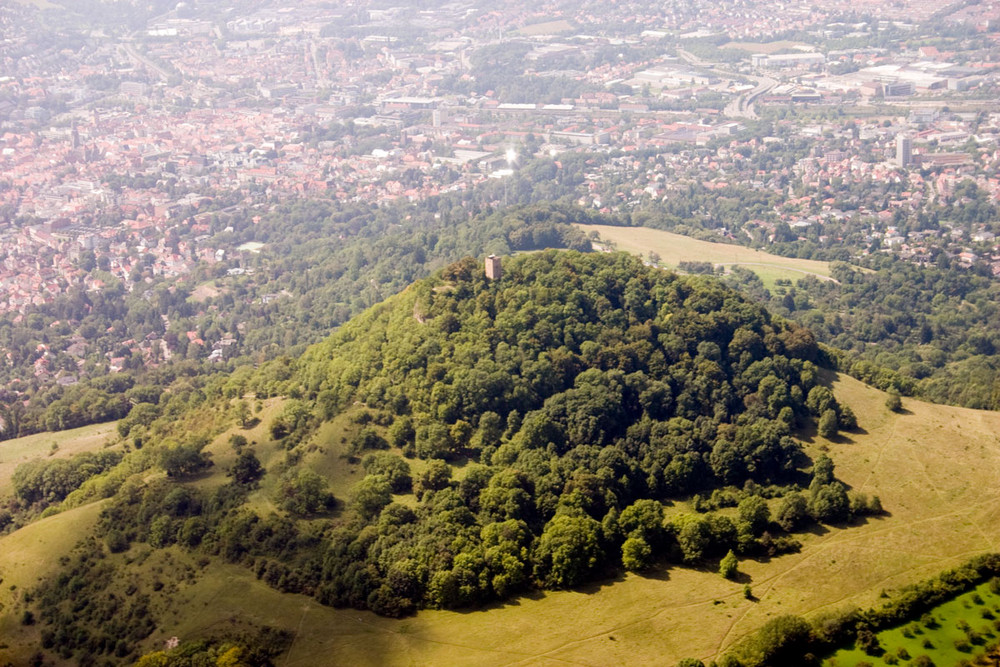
{"type": "Point", "coordinates": [944, 640]}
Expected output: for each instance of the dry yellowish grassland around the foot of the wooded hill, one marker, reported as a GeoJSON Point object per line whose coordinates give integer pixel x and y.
{"type": "Point", "coordinates": [934, 468]}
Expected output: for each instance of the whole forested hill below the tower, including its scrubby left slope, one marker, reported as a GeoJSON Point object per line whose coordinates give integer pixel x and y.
{"type": "Point", "coordinates": [513, 434]}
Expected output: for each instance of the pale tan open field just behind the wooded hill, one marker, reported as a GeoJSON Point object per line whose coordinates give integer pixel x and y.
{"type": "Point", "coordinates": [676, 248]}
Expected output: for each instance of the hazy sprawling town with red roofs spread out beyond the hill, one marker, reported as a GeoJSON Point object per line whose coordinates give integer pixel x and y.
{"type": "Point", "coordinates": [169, 155]}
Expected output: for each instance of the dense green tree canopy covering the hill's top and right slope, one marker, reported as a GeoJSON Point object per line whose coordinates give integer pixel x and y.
{"type": "Point", "coordinates": [589, 389]}
